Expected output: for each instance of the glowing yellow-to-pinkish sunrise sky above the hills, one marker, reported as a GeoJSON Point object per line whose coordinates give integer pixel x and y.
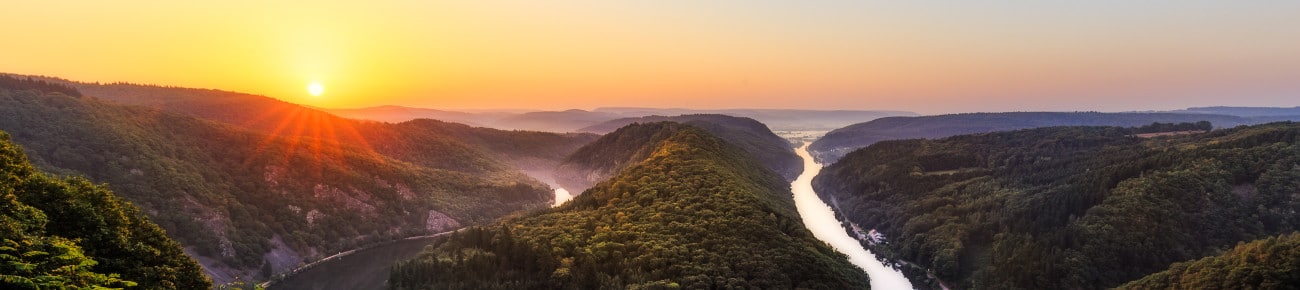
{"type": "Point", "coordinates": [921, 57]}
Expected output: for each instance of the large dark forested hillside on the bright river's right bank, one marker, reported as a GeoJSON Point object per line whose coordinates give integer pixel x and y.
{"type": "Point", "coordinates": [1069, 207]}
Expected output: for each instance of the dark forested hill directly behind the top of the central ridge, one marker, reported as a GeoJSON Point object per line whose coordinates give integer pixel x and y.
{"type": "Point", "coordinates": [606, 157]}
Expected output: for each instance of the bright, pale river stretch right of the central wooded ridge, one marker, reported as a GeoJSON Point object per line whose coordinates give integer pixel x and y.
{"type": "Point", "coordinates": [821, 220]}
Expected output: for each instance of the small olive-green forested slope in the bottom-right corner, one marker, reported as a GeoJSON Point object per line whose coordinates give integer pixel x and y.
{"type": "Point", "coordinates": [1269, 263]}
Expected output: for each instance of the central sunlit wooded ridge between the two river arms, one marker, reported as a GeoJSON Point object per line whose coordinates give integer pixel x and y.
{"type": "Point", "coordinates": [695, 213]}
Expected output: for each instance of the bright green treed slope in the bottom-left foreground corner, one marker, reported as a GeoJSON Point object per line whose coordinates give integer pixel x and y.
{"type": "Point", "coordinates": [73, 235]}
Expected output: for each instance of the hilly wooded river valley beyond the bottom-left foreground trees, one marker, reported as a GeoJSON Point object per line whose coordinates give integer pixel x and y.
{"type": "Point", "coordinates": [305, 200]}
